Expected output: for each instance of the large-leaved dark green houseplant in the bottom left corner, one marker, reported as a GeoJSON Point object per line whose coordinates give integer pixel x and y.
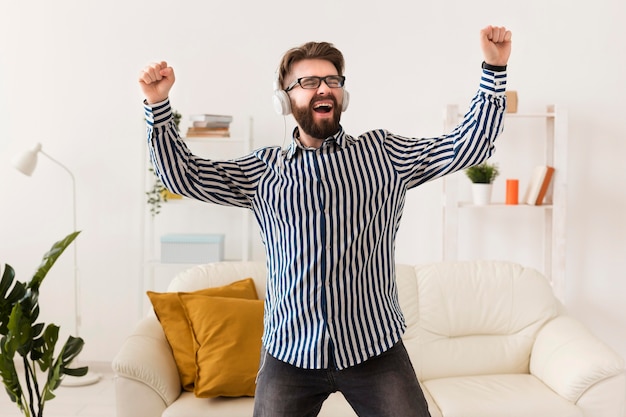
{"type": "Point", "coordinates": [34, 342]}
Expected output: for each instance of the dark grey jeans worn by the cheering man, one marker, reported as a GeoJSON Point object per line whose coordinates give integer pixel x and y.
{"type": "Point", "coordinates": [383, 386]}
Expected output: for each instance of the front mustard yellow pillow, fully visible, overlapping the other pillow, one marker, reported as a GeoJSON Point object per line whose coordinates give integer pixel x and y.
{"type": "Point", "coordinates": [227, 332]}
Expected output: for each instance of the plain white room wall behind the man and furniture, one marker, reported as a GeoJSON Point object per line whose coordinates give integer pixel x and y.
{"type": "Point", "coordinates": [68, 74]}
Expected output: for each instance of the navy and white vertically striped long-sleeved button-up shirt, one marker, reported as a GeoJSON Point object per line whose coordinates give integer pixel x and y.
{"type": "Point", "coordinates": [328, 219]}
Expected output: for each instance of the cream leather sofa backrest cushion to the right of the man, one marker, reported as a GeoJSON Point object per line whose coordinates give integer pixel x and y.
{"type": "Point", "coordinates": [472, 318]}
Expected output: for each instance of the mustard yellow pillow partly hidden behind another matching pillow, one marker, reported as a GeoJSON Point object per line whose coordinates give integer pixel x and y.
{"type": "Point", "coordinates": [171, 314]}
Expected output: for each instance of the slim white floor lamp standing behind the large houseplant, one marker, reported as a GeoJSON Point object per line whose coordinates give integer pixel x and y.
{"type": "Point", "coordinates": [26, 164]}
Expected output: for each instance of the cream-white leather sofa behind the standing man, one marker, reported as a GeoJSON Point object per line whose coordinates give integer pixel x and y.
{"type": "Point", "coordinates": [486, 339]}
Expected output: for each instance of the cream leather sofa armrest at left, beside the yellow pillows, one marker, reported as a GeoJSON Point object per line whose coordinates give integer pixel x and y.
{"type": "Point", "coordinates": [146, 359]}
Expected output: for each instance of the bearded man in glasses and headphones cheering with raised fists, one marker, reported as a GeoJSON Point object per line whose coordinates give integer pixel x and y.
{"type": "Point", "coordinates": [329, 208]}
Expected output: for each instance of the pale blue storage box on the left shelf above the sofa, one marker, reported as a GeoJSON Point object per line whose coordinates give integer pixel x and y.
{"type": "Point", "coordinates": [192, 248]}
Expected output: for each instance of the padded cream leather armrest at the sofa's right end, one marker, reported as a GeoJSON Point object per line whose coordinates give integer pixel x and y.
{"type": "Point", "coordinates": [571, 360]}
